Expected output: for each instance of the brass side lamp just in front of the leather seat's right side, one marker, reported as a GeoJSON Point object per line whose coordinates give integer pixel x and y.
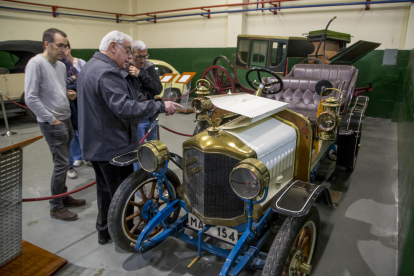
{"type": "Point", "coordinates": [329, 119]}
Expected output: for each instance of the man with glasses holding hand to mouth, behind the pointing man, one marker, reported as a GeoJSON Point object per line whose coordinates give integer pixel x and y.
{"type": "Point", "coordinates": [149, 84]}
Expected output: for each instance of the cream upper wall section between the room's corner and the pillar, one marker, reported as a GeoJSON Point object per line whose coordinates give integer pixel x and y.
{"type": "Point", "coordinates": [183, 32]}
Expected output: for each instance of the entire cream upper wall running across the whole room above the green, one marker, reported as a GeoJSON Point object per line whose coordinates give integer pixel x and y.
{"type": "Point", "coordinates": [390, 24]}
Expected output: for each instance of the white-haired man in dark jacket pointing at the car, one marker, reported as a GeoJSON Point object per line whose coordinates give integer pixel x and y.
{"type": "Point", "coordinates": [108, 111]}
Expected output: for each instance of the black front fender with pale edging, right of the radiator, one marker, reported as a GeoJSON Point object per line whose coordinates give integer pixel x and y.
{"type": "Point", "coordinates": [297, 198]}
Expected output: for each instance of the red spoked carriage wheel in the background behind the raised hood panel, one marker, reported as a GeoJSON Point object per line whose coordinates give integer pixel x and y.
{"type": "Point", "coordinates": [220, 79]}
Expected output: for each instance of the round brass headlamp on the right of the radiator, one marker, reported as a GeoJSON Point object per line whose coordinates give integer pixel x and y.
{"type": "Point", "coordinates": [249, 178]}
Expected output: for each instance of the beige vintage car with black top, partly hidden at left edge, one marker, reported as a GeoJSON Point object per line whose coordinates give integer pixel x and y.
{"type": "Point", "coordinates": [14, 56]}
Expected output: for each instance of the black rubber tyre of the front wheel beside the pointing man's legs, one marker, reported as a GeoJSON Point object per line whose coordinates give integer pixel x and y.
{"type": "Point", "coordinates": [115, 219]}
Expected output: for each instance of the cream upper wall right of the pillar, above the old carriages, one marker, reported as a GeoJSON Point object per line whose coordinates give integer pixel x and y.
{"type": "Point", "coordinates": [382, 23]}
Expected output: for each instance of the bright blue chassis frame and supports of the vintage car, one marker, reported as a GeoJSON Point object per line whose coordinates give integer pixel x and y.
{"type": "Point", "coordinates": [241, 256]}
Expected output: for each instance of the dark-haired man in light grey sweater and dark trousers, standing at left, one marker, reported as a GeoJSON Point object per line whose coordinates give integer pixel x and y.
{"type": "Point", "coordinates": [47, 97]}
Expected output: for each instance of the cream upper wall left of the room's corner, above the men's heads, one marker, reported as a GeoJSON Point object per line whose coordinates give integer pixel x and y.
{"type": "Point", "coordinates": [82, 32]}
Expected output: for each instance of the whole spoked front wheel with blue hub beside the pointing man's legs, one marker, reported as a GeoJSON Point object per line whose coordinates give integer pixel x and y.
{"type": "Point", "coordinates": [130, 209]}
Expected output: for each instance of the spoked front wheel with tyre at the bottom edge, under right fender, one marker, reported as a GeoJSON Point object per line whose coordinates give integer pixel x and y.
{"type": "Point", "coordinates": [294, 246]}
